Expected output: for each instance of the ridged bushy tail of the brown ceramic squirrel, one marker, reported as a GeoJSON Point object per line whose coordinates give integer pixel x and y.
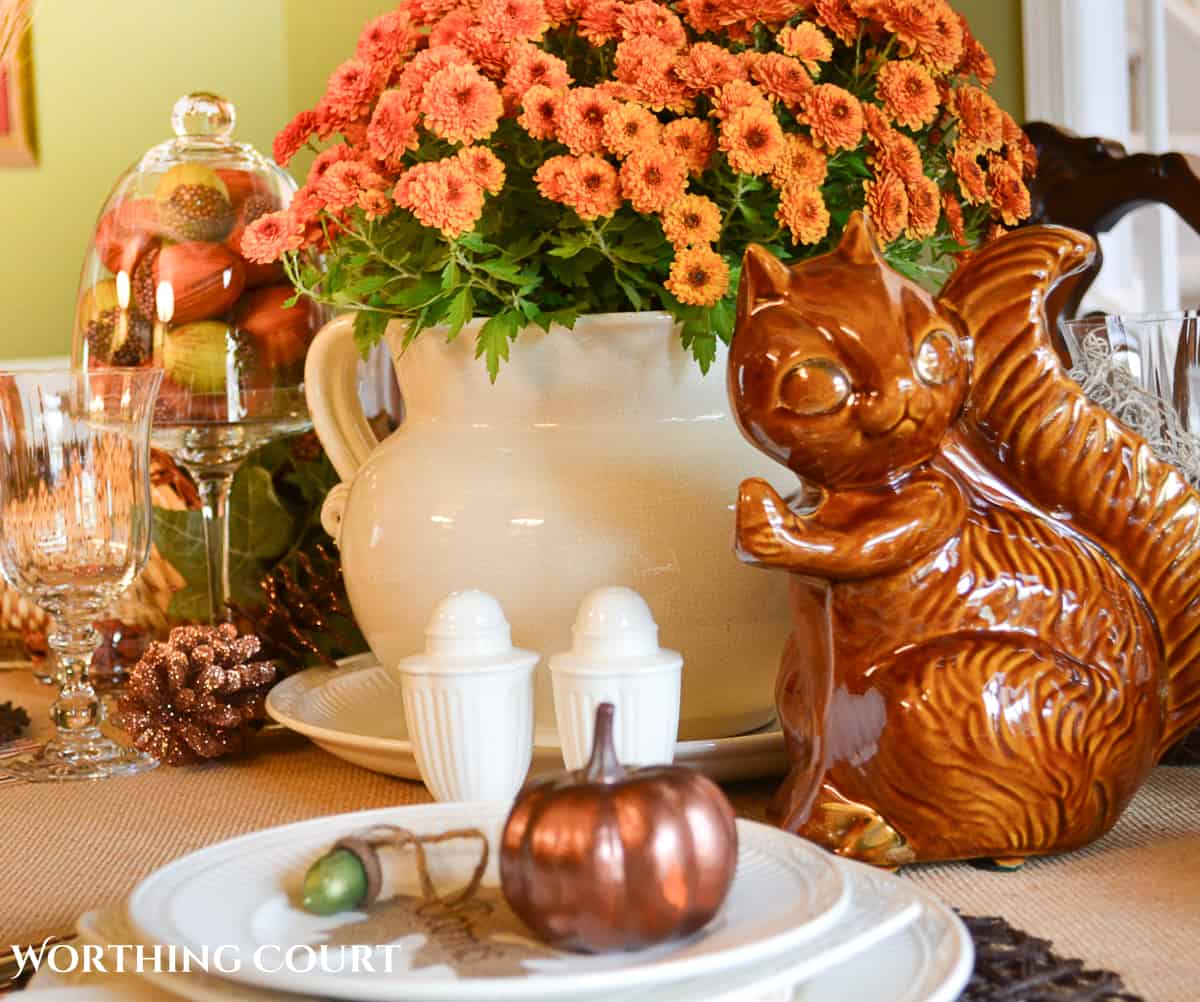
{"type": "Point", "coordinates": [1071, 457]}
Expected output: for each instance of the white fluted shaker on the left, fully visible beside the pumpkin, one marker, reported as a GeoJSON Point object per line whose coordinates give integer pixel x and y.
{"type": "Point", "coordinates": [469, 703]}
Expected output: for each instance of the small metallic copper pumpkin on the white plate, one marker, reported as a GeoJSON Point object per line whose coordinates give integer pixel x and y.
{"type": "Point", "coordinates": [607, 860]}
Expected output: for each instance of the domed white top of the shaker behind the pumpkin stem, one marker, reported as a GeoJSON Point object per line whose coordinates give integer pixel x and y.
{"type": "Point", "coordinates": [615, 631]}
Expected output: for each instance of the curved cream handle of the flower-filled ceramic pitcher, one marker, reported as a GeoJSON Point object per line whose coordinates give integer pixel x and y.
{"type": "Point", "coordinates": [332, 389]}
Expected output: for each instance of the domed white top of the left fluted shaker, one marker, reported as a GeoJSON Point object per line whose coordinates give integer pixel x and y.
{"type": "Point", "coordinates": [469, 633]}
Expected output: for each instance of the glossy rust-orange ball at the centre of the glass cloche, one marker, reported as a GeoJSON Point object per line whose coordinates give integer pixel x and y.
{"type": "Point", "coordinates": [205, 280]}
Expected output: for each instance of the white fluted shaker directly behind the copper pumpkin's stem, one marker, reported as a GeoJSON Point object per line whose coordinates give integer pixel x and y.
{"type": "Point", "coordinates": [616, 658]}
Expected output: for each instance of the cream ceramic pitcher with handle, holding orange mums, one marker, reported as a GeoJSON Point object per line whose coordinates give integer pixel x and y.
{"type": "Point", "coordinates": [599, 457]}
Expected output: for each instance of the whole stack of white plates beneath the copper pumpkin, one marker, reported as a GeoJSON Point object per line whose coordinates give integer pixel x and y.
{"type": "Point", "coordinates": [799, 925]}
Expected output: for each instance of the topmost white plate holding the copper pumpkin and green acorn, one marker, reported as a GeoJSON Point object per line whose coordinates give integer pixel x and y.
{"type": "Point", "coordinates": [241, 895]}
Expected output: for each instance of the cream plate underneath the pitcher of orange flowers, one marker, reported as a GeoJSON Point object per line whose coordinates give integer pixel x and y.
{"type": "Point", "coordinates": [356, 713]}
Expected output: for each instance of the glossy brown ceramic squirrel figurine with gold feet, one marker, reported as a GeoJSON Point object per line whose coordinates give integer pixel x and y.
{"type": "Point", "coordinates": [997, 586]}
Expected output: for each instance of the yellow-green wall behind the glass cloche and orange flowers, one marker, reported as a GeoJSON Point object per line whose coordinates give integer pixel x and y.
{"type": "Point", "coordinates": [109, 71]}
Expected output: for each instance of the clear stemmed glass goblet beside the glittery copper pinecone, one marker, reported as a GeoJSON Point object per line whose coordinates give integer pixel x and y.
{"type": "Point", "coordinates": [75, 532]}
